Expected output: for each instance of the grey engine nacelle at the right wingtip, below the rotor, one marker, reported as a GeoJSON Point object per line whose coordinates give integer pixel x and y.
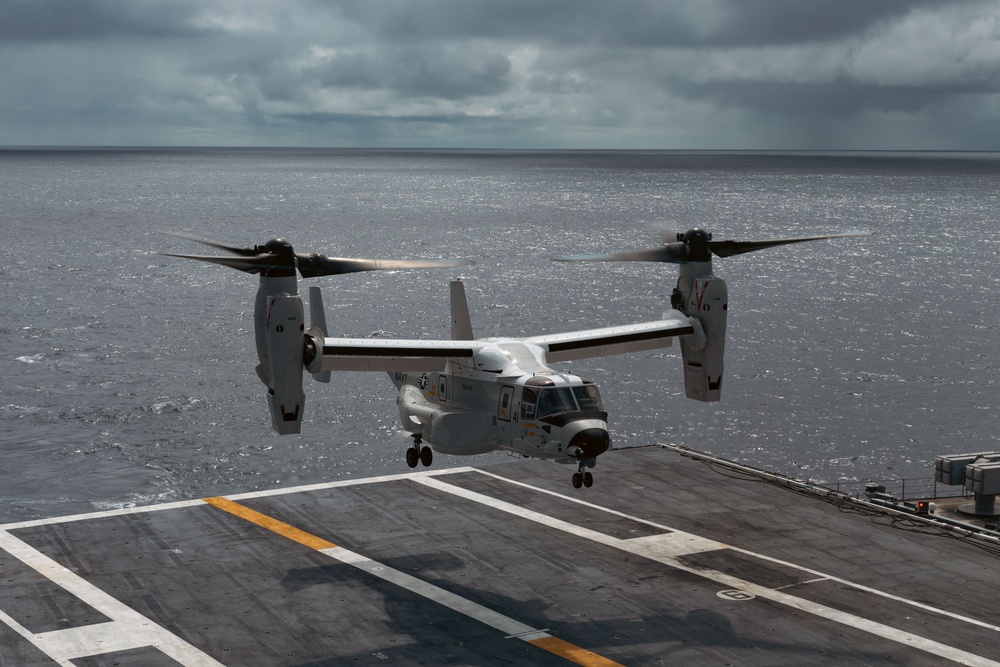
{"type": "Point", "coordinates": [705, 299]}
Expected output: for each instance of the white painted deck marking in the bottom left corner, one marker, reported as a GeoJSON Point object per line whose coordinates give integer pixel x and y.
{"type": "Point", "coordinates": [128, 629]}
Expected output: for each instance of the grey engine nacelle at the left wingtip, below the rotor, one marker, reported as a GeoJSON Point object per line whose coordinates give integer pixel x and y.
{"type": "Point", "coordinates": [280, 338]}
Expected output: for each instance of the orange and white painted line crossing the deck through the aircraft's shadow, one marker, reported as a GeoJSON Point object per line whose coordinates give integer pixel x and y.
{"type": "Point", "coordinates": [510, 627]}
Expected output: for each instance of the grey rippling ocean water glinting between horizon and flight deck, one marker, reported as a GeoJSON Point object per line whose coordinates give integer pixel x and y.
{"type": "Point", "coordinates": [128, 376]}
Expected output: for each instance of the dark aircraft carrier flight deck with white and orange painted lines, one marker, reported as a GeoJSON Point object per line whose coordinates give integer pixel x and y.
{"type": "Point", "coordinates": [663, 561]}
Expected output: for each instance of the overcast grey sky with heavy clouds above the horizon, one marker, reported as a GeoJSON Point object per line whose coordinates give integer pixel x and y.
{"type": "Point", "coordinates": [714, 74]}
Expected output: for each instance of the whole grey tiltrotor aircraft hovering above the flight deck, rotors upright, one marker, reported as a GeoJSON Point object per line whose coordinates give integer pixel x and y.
{"type": "Point", "coordinates": [470, 396]}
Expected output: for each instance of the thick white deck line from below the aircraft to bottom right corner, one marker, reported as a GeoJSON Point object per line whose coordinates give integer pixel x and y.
{"type": "Point", "coordinates": [630, 546]}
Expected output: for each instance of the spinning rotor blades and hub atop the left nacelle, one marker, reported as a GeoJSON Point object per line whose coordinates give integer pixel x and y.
{"type": "Point", "coordinates": [276, 258]}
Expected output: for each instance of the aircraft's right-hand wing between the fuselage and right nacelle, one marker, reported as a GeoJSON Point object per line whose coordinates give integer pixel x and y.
{"type": "Point", "coordinates": [614, 340]}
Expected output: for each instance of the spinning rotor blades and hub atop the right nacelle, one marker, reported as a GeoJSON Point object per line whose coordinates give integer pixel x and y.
{"type": "Point", "coordinates": [696, 245]}
